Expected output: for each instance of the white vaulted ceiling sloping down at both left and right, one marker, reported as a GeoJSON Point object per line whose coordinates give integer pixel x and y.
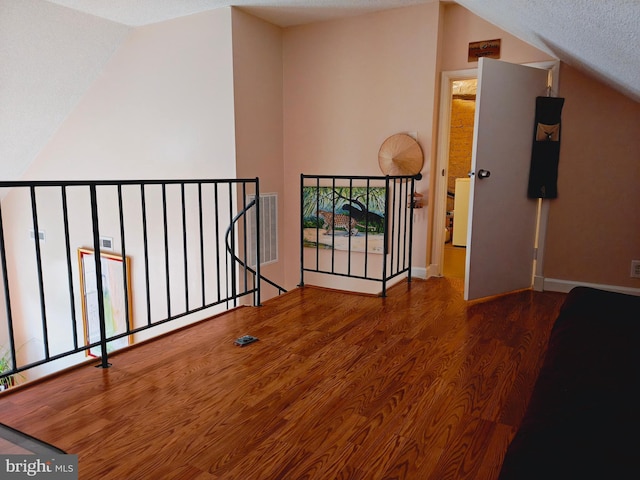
{"type": "Point", "coordinates": [600, 38]}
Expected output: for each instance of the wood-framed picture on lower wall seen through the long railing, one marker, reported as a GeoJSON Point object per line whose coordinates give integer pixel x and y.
{"type": "Point", "coordinates": [116, 296]}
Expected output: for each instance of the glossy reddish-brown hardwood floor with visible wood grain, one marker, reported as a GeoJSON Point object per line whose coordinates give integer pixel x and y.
{"type": "Point", "coordinates": [419, 385]}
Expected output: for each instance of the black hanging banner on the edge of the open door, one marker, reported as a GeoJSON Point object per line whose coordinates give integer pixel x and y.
{"type": "Point", "coordinates": [545, 154]}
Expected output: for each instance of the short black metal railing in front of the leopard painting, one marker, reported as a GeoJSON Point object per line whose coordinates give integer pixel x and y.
{"type": "Point", "coordinates": [357, 226]}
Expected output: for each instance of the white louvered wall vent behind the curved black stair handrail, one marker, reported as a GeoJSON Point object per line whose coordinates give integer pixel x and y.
{"type": "Point", "coordinates": [269, 229]}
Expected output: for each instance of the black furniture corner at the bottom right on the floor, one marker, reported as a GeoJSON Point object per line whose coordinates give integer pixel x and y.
{"type": "Point", "coordinates": [583, 418]}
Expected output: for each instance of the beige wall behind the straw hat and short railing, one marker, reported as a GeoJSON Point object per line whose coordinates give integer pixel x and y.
{"type": "Point", "coordinates": [349, 84]}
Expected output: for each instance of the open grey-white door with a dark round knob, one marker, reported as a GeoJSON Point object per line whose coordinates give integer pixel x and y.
{"type": "Point", "coordinates": [502, 220]}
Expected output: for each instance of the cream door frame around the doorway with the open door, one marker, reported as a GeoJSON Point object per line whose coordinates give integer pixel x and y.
{"type": "Point", "coordinates": [442, 166]}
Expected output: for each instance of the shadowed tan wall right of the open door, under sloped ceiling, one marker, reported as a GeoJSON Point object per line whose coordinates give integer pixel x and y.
{"type": "Point", "coordinates": [594, 224]}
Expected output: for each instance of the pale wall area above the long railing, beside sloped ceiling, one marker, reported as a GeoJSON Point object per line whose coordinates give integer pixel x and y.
{"type": "Point", "coordinates": [162, 108]}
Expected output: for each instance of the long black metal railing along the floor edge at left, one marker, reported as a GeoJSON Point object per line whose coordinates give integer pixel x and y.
{"type": "Point", "coordinates": [148, 252]}
